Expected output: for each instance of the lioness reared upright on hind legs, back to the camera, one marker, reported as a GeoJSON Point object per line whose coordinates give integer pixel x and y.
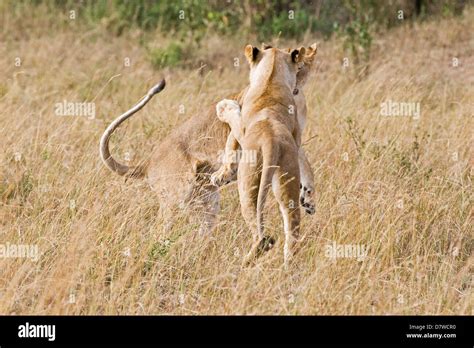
{"type": "Point", "coordinates": [268, 127]}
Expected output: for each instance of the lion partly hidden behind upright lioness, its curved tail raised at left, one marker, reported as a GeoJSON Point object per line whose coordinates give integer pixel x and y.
{"type": "Point", "coordinates": [180, 166]}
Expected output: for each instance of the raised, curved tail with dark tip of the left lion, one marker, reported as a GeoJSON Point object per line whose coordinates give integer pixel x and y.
{"type": "Point", "coordinates": [109, 161]}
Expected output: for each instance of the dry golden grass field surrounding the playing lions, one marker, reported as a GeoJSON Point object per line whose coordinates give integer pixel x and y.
{"type": "Point", "coordinates": [400, 186]}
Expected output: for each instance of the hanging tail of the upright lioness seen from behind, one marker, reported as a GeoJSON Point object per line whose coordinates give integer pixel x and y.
{"type": "Point", "coordinates": [270, 153]}
